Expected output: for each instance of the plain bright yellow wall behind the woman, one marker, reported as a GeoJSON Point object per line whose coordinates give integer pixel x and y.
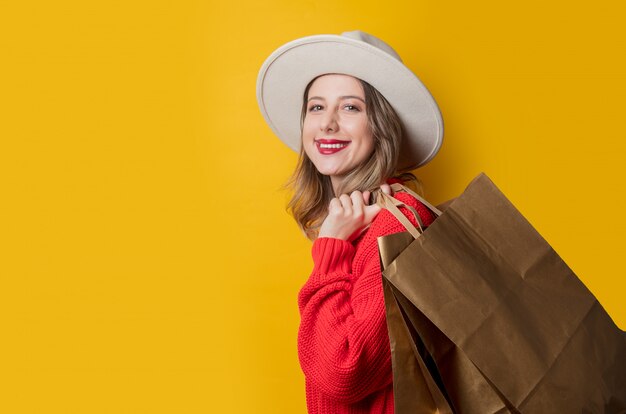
{"type": "Point", "coordinates": [147, 263]}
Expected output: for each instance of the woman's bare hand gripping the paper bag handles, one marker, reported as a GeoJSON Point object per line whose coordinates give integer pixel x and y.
{"type": "Point", "coordinates": [349, 215]}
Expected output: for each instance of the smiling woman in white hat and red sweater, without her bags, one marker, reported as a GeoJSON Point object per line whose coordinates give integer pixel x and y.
{"type": "Point", "coordinates": [364, 119]}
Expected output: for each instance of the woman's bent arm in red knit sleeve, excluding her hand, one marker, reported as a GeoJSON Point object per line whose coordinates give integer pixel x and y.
{"type": "Point", "coordinates": [343, 343]}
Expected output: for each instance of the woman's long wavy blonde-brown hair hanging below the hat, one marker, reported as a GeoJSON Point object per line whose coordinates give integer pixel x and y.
{"type": "Point", "coordinates": [313, 191]}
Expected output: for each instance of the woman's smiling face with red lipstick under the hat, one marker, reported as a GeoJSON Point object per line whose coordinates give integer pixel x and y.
{"type": "Point", "coordinates": [336, 134]}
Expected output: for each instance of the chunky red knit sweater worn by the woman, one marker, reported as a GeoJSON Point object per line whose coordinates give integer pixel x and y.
{"type": "Point", "coordinates": [343, 344]}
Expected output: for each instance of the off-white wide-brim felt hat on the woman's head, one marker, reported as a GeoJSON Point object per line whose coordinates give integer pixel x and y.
{"type": "Point", "coordinates": [288, 70]}
